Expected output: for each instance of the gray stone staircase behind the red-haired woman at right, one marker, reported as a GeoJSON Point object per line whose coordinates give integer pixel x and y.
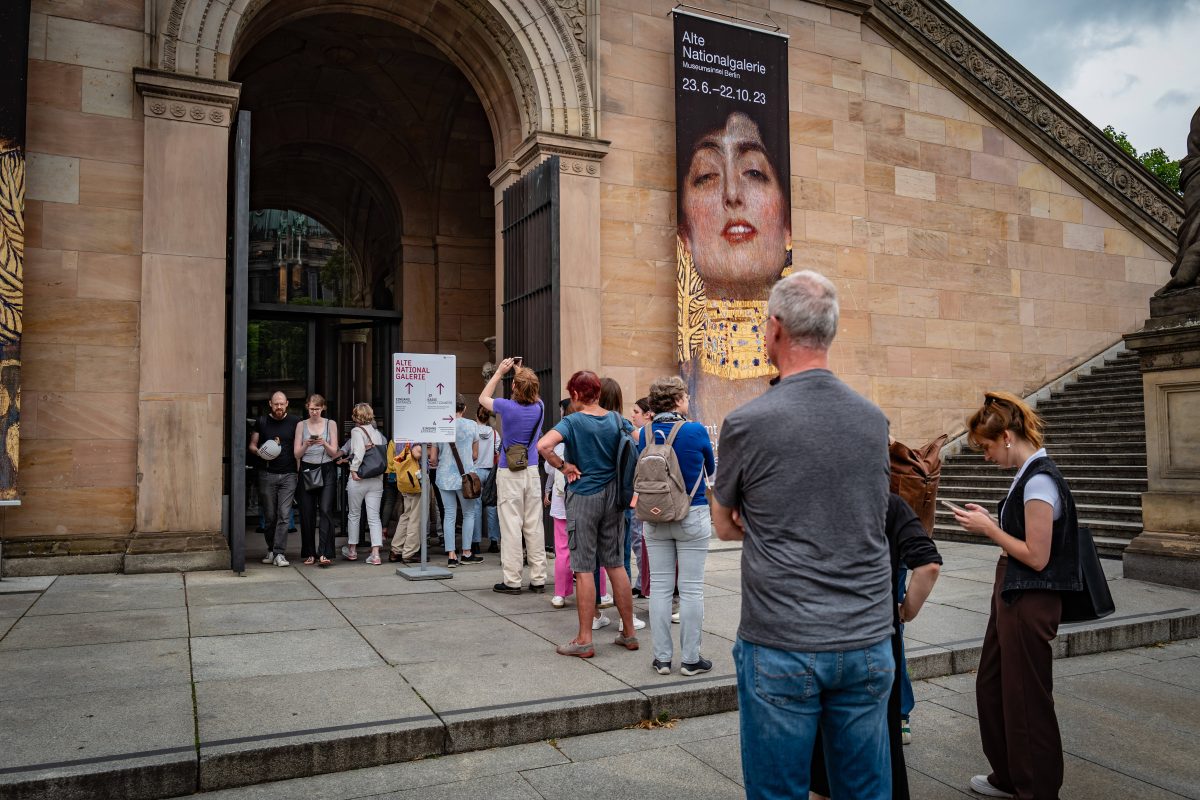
{"type": "Point", "coordinates": [1096, 432]}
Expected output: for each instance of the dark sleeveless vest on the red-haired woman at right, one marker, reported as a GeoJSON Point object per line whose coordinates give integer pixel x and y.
{"type": "Point", "coordinates": [1063, 572]}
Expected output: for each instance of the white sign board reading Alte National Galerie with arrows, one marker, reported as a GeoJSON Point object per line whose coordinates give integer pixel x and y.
{"type": "Point", "coordinates": [425, 394]}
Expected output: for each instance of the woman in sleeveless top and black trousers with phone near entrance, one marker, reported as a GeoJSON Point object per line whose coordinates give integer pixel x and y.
{"type": "Point", "coordinates": [316, 448]}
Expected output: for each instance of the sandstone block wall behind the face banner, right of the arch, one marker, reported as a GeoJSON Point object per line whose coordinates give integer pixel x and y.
{"type": "Point", "coordinates": [964, 263]}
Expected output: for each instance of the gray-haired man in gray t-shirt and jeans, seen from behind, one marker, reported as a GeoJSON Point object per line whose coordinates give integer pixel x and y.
{"type": "Point", "coordinates": [803, 483]}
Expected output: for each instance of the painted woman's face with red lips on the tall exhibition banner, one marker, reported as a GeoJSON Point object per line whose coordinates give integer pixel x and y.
{"type": "Point", "coordinates": [737, 221]}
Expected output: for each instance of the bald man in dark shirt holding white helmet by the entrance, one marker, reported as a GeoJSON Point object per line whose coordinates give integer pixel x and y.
{"type": "Point", "coordinates": [278, 477]}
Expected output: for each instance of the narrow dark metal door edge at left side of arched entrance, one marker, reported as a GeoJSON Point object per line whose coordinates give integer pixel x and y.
{"type": "Point", "coordinates": [239, 321]}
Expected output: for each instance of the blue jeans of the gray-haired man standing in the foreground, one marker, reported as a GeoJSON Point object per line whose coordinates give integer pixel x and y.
{"type": "Point", "coordinates": [785, 696]}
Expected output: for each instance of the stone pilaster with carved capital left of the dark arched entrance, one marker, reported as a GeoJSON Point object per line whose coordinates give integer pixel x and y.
{"type": "Point", "coordinates": [183, 327]}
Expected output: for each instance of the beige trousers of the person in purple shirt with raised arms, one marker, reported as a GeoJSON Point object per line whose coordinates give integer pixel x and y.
{"type": "Point", "coordinates": [519, 506]}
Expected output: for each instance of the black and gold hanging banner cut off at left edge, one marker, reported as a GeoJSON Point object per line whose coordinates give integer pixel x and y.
{"type": "Point", "coordinates": [14, 67]}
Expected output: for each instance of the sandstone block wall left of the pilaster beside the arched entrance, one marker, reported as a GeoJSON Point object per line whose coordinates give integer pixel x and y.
{"type": "Point", "coordinates": [83, 276]}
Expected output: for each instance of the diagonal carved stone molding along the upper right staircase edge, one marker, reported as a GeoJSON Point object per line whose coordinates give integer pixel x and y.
{"type": "Point", "coordinates": [969, 58]}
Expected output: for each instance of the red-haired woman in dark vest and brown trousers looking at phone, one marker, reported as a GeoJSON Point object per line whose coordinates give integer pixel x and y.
{"type": "Point", "coordinates": [1037, 528]}
